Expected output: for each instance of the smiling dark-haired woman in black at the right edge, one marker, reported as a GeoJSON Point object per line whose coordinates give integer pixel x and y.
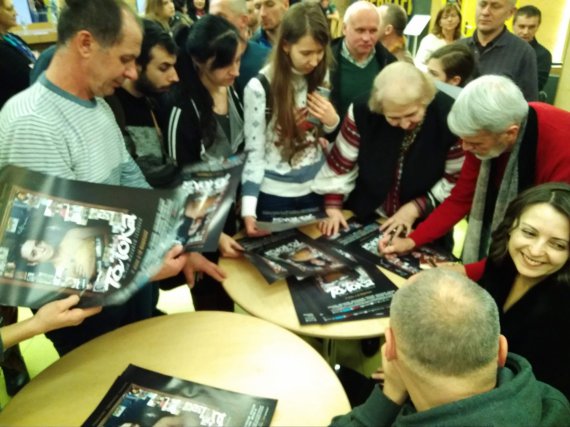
{"type": "Point", "coordinates": [528, 275]}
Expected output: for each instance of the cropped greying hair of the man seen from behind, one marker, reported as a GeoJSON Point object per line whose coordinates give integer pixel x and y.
{"type": "Point", "coordinates": [445, 324]}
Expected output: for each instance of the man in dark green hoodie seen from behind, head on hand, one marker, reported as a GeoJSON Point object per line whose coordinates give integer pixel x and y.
{"type": "Point", "coordinates": [440, 363]}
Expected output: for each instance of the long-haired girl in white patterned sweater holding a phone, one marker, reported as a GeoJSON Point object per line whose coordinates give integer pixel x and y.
{"type": "Point", "coordinates": [283, 147]}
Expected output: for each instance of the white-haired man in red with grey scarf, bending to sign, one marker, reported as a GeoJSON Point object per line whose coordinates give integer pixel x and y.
{"type": "Point", "coordinates": [510, 145]}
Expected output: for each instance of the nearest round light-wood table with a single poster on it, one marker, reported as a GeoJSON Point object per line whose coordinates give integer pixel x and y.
{"type": "Point", "coordinates": [226, 350]}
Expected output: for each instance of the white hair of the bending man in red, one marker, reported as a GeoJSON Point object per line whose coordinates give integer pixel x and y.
{"type": "Point", "coordinates": [488, 104]}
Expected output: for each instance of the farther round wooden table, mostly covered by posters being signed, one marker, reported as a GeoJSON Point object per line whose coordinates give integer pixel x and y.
{"type": "Point", "coordinates": [247, 287]}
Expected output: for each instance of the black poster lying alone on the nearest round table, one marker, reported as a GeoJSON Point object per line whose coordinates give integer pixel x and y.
{"type": "Point", "coordinates": [140, 397]}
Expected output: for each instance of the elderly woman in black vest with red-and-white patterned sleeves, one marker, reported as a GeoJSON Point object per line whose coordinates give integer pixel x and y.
{"type": "Point", "coordinates": [394, 155]}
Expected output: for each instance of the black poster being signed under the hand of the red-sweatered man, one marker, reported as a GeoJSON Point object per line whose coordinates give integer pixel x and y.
{"type": "Point", "coordinates": [361, 240]}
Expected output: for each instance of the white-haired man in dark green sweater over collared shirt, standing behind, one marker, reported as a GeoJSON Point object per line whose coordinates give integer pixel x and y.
{"type": "Point", "coordinates": [358, 55]}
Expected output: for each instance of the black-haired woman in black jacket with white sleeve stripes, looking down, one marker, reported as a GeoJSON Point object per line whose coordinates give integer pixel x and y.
{"type": "Point", "coordinates": [205, 122]}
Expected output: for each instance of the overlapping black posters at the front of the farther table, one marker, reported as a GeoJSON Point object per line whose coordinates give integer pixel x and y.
{"type": "Point", "coordinates": [327, 283]}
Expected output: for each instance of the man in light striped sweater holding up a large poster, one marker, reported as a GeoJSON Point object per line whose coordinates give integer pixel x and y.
{"type": "Point", "coordinates": [62, 126]}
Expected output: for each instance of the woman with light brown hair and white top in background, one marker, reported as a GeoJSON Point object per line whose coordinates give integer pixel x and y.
{"type": "Point", "coordinates": [446, 30]}
